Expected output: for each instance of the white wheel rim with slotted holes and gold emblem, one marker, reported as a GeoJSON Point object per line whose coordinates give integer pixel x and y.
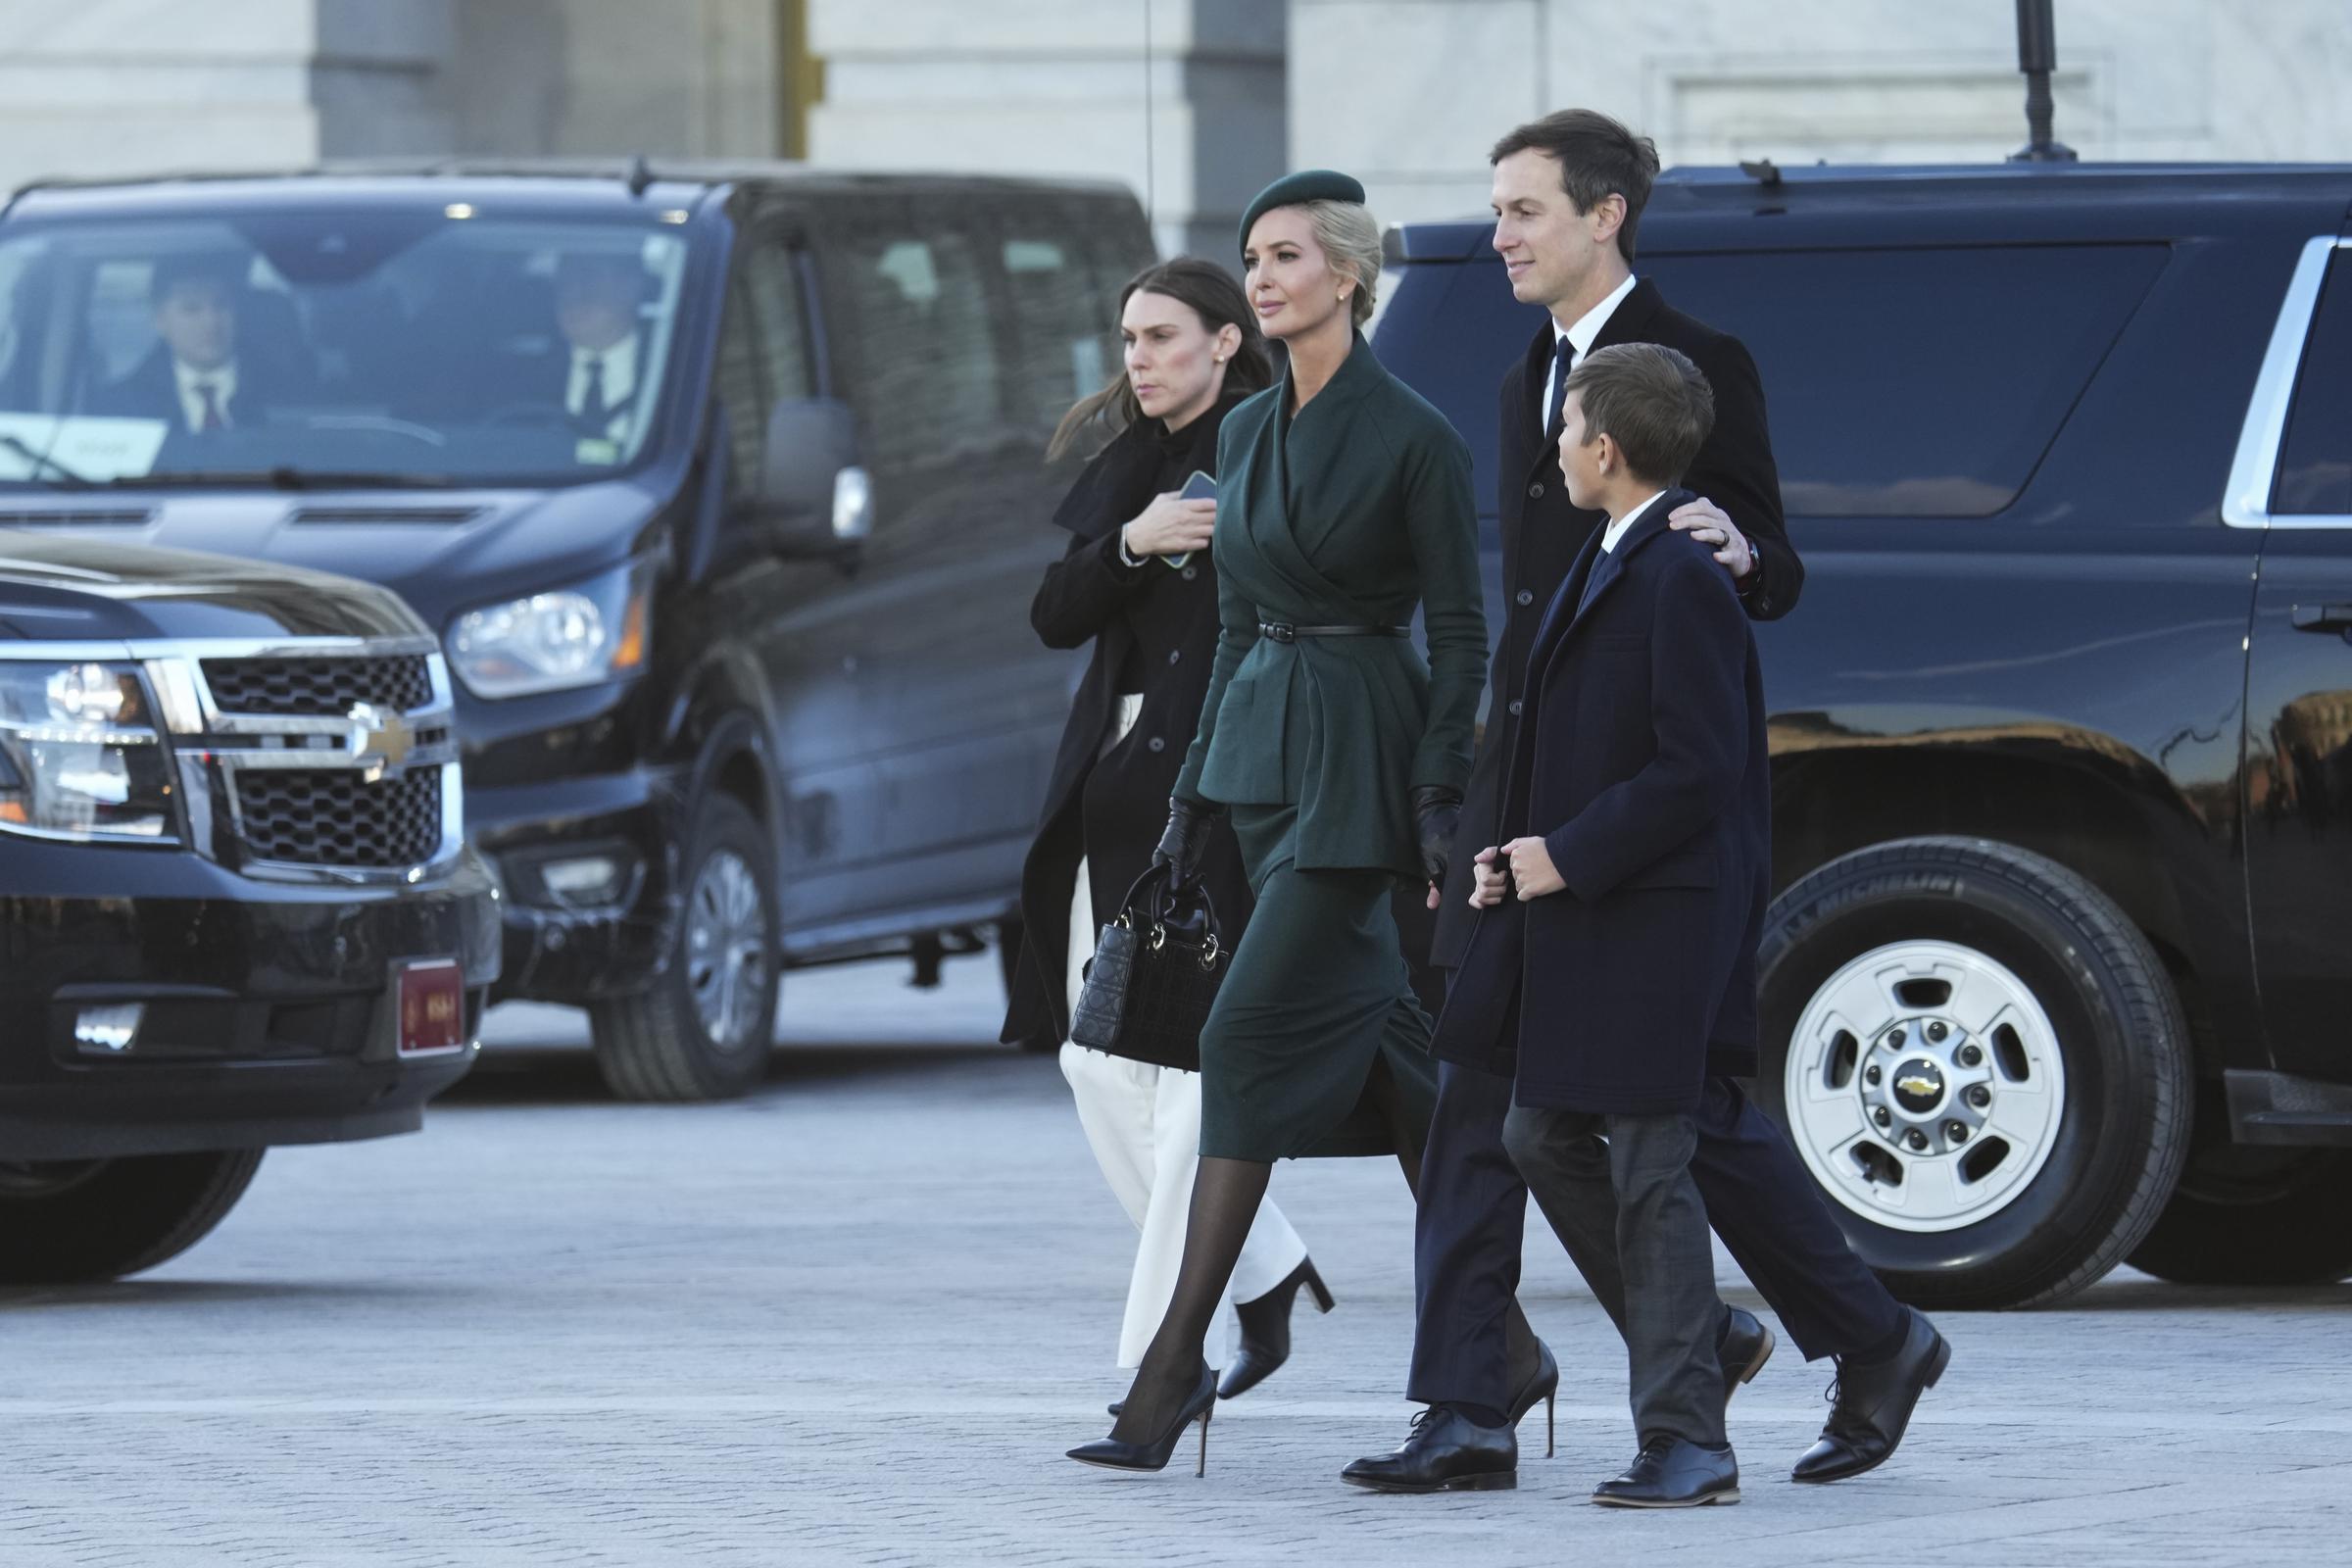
{"type": "Point", "coordinates": [1925, 1087]}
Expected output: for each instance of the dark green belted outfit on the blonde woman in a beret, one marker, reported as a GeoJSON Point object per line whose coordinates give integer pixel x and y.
{"type": "Point", "coordinates": [1356, 511]}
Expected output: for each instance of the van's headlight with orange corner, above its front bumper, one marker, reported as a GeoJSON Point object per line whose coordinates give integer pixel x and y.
{"type": "Point", "coordinates": [568, 638]}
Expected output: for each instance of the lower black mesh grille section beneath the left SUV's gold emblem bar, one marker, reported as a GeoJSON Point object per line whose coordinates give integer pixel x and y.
{"type": "Point", "coordinates": [335, 817]}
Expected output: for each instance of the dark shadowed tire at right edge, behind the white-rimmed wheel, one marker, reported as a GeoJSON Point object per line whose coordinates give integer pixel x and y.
{"type": "Point", "coordinates": [2254, 1217]}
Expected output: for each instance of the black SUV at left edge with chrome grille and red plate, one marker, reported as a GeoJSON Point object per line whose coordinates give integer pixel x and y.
{"type": "Point", "coordinates": [236, 902]}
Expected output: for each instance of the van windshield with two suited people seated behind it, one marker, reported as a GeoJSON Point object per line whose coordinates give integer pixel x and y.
{"type": "Point", "coordinates": [363, 347]}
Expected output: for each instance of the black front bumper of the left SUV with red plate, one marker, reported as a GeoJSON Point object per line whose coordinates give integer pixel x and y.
{"type": "Point", "coordinates": [267, 1012]}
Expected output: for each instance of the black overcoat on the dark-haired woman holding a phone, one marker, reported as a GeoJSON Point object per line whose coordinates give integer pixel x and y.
{"type": "Point", "coordinates": [1111, 808]}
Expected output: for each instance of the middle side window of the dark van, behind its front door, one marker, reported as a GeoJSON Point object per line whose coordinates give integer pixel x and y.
{"type": "Point", "coordinates": [926, 344]}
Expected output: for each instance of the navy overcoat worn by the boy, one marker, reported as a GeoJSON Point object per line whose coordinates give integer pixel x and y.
{"type": "Point", "coordinates": [1641, 763]}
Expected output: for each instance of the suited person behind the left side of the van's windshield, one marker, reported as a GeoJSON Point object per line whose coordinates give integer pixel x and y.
{"type": "Point", "coordinates": [194, 377]}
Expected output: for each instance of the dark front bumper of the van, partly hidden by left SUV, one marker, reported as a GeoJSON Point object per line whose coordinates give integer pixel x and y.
{"type": "Point", "coordinates": [580, 944]}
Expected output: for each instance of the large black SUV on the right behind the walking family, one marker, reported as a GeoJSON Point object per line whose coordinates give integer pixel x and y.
{"type": "Point", "coordinates": [2062, 732]}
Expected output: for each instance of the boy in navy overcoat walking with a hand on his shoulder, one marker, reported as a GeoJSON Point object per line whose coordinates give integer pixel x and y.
{"type": "Point", "coordinates": [1619, 932]}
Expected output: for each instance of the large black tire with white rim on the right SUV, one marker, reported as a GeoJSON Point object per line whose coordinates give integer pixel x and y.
{"type": "Point", "coordinates": [2005, 1153]}
